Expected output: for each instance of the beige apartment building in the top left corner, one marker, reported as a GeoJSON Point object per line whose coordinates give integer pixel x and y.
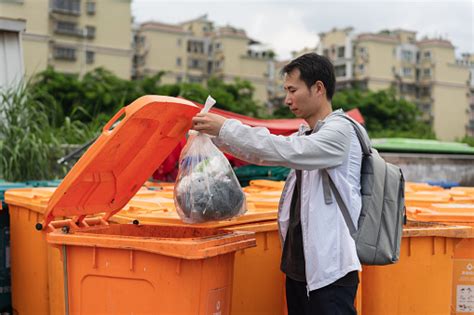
{"type": "Point", "coordinates": [74, 36]}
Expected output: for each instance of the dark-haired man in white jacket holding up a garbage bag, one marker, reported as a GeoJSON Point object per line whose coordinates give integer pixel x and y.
{"type": "Point", "coordinates": [319, 255]}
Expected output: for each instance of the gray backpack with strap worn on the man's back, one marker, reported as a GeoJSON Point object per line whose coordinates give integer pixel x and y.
{"type": "Point", "coordinates": [379, 229]}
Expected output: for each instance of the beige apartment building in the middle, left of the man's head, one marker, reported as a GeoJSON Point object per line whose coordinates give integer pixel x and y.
{"type": "Point", "coordinates": [193, 51]}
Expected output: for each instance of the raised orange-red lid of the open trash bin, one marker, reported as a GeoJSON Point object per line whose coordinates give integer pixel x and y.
{"type": "Point", "coordinates": [131, 147]}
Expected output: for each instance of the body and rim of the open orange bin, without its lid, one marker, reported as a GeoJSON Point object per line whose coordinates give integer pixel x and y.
{"type": "Point", "coordinates": [135, 269]}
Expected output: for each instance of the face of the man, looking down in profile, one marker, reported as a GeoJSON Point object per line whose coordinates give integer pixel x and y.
{"type": "Point", "coordinates": [301, 100]}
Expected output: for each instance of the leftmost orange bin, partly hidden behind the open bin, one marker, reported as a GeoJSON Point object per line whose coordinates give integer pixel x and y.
{"type": "Point", "coordinates": [36, 267]}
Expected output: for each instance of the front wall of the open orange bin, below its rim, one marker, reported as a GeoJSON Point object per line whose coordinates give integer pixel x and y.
{"type": "Point", "coordinates": [147, 283]}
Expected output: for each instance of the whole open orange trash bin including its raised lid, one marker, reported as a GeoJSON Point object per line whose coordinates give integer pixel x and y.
{"type": "Point", "coordinates": [134, 268]}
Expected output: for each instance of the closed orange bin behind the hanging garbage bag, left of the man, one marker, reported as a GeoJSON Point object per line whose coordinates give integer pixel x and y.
{"type": "Point", "coordinates": [258, 283]}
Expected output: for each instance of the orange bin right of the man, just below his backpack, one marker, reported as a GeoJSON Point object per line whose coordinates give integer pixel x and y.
{"type": "Point", "coordinates": [421, 282]}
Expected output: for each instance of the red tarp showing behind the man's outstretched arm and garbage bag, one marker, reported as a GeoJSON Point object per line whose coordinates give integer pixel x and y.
{"type": "Point", "coordinates": [169, 169]}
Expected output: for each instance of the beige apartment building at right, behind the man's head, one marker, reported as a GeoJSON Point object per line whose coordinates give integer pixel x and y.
{"type": "Point", "coordinates": [424, 71]}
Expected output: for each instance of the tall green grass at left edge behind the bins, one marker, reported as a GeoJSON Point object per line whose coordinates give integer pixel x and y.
{"type": "Point", "coordinates": [32, 130]}
